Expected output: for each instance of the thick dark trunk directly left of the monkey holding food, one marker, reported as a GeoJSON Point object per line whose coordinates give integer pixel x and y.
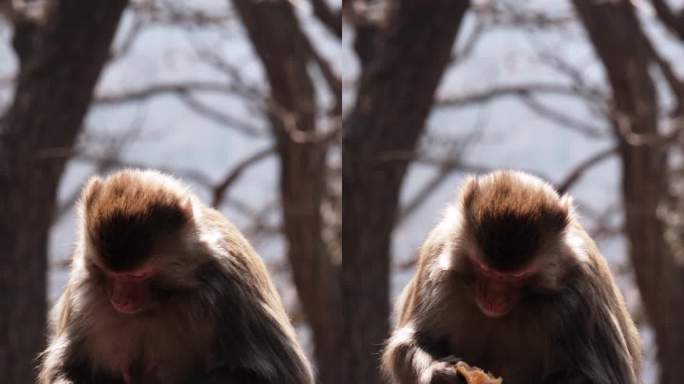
{"type": "Point", "coordinates": [396, 91]}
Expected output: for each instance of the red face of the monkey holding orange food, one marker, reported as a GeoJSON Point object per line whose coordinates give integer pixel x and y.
{"type": "Point", "coordinates": [497, 292]}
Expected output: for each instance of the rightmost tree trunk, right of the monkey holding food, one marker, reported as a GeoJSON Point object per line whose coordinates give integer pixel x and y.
{"type": "Point", "coordinates": [615, 33]}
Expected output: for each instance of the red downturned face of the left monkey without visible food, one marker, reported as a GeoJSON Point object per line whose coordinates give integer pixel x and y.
{"type": "Point", "coordinates": [128, 292]}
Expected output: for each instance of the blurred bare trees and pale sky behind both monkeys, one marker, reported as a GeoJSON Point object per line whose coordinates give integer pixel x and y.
{"type": "Point", "coordinates": [246, 100]}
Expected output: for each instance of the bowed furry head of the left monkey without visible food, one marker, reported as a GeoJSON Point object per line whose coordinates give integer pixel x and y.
{"type": "Point", "coordinates": [134, 226]}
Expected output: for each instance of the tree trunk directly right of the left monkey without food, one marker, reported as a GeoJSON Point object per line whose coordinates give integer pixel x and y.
{"type": "Point", "coordinates": [285, 55]}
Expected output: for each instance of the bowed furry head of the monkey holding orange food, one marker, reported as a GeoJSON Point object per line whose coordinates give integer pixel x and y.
{"type": "Point", "coordinates": [512, 238]}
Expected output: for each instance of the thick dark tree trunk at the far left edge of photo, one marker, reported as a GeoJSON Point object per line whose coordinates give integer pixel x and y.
{"type": "Point", "coordinates": [59, 67]}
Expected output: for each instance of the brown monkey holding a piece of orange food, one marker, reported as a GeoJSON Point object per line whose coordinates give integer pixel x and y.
{"type": "Point", "coordinates": [510, 282]}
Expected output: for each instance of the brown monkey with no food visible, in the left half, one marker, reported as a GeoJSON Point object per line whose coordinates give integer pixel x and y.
{"type": "Point", "coordinates": [163, 289]}
